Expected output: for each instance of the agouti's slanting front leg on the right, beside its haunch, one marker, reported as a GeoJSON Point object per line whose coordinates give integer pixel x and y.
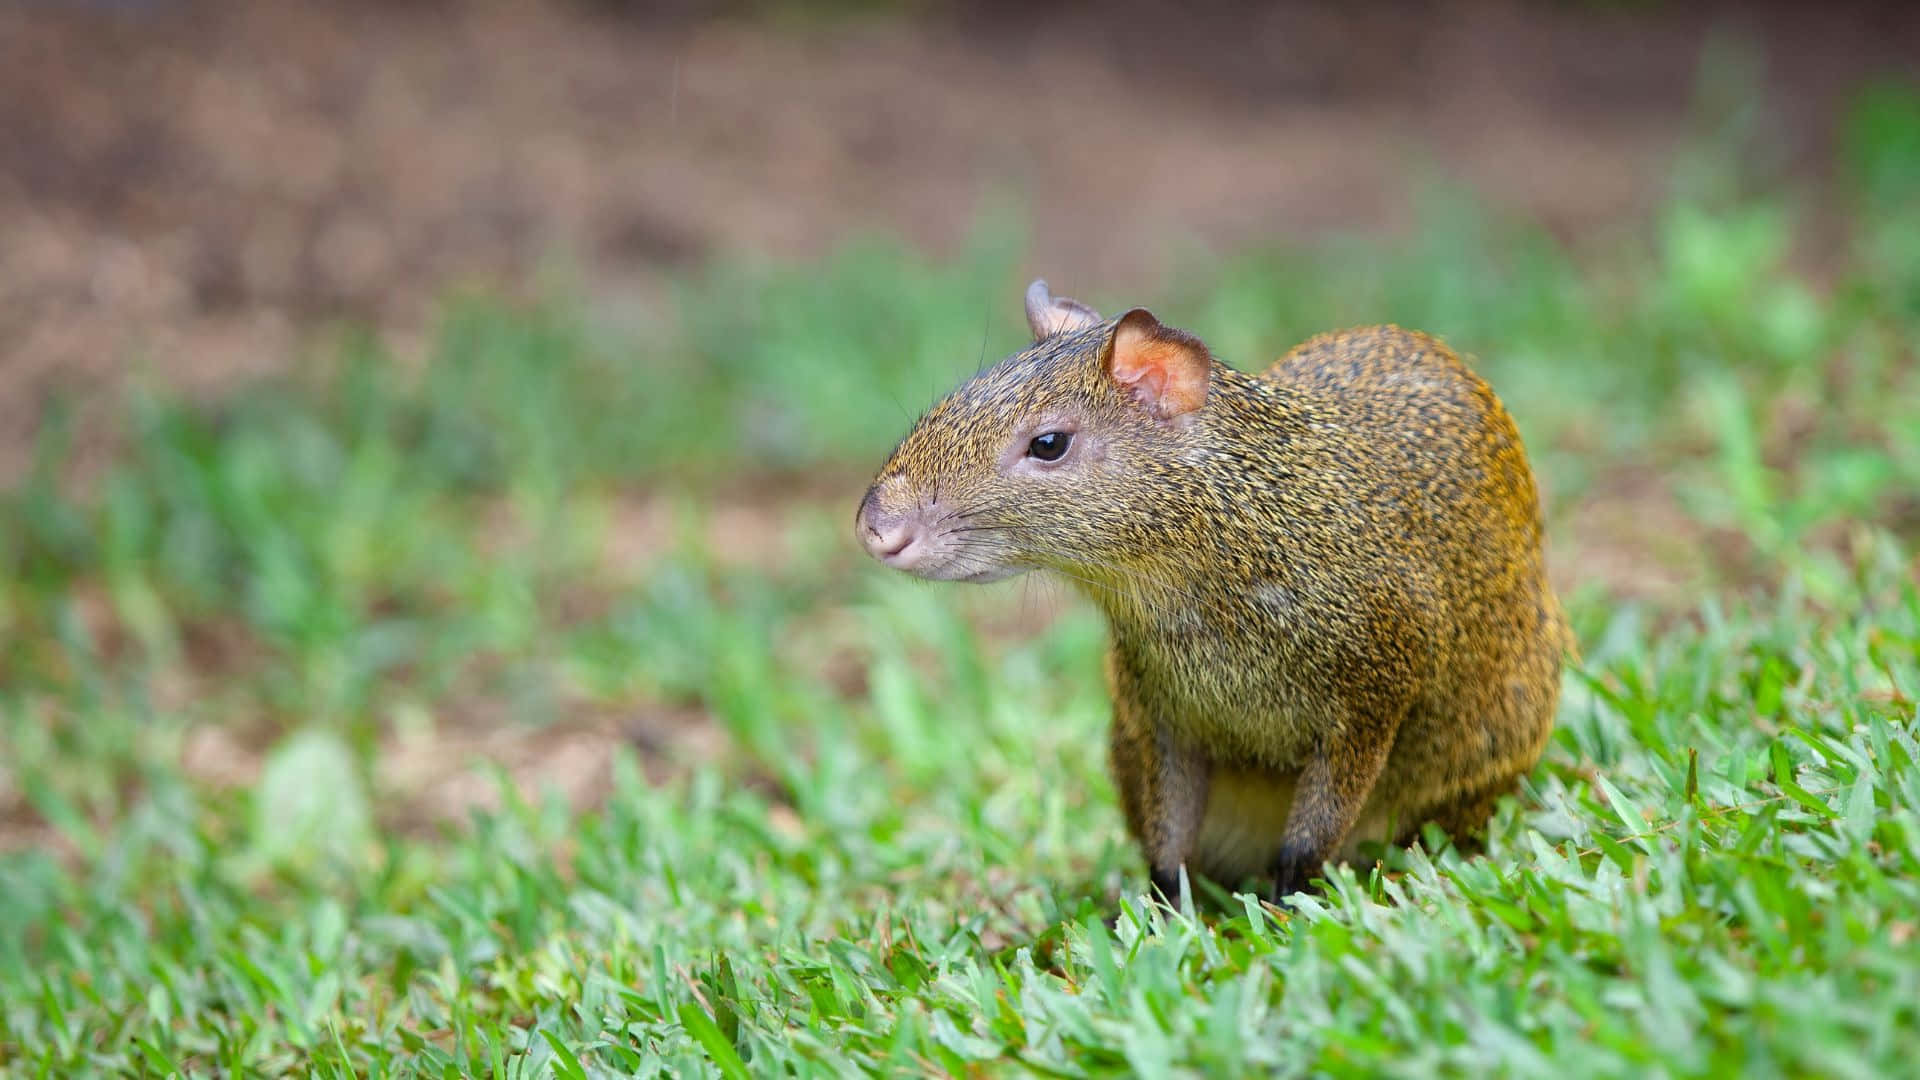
{"type": "Point", "coordinates": [1328, 802]}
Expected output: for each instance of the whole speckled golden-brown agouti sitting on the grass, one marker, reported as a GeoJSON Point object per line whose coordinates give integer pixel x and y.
{"type": "Point", "coordinates": [1330, 610]}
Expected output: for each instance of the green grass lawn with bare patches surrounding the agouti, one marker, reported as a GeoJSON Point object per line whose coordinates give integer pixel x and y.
{"type": "Point", "coordinates": [867, 829]}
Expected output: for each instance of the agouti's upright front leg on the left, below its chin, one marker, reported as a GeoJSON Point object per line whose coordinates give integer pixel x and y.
{"type": "Point", "coordinates": [1163, 793]}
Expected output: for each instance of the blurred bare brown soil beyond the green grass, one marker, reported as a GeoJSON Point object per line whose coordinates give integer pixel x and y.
{"type": "Point", "coordinates": [193, 187]}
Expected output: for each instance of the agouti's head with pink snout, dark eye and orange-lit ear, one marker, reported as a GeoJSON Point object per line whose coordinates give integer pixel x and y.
{"type": "Point", "coordinates": [1047, 460]}
